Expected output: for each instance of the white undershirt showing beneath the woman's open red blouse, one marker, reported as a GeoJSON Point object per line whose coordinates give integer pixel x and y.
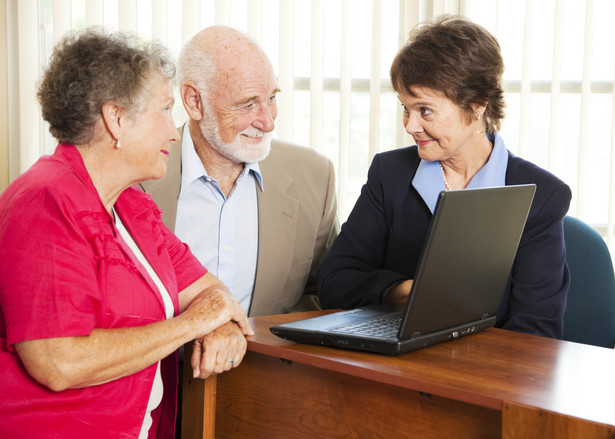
{"type": "Point", "coordinates": [157, 388]}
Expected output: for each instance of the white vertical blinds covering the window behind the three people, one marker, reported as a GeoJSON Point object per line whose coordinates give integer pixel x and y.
{"type": "Point", "coordinates": [332, 59]}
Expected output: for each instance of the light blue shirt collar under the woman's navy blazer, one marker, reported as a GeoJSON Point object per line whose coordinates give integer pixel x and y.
{"type": "Point", "coordinates": [428, 180]}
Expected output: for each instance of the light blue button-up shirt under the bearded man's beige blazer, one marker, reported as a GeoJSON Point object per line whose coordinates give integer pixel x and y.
{"type": "Point", "coordinates": [221, 232]}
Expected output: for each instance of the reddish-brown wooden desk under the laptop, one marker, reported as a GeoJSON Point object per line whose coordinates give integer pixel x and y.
{"type": "Point", "coordinates": [493, 384]}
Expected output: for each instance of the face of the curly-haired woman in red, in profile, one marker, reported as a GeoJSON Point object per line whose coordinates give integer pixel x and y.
{"type": "Point", "coordinates": [148, 135]}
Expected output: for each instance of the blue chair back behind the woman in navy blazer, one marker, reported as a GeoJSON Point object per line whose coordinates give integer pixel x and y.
{"type": "Point", "coordinates": [590, 312]}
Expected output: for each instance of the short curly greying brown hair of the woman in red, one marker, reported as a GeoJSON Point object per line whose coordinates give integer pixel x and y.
{"type": "Point", "coordinates": [92, 67]}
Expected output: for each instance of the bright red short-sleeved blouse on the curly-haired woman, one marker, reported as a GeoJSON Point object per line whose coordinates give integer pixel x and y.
{"type": "Point", "coordinates": [63, 272]}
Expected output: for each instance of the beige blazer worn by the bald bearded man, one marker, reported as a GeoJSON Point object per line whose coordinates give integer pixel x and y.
{"type": "Point", "coordinates": [297, 223]}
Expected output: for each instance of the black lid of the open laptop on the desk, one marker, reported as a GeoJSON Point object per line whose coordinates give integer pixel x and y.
{"type": "Point", "coordinates": [465, 266]}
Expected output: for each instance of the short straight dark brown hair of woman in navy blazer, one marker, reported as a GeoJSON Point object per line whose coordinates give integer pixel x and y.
{"type": "Point", "coordinates": [458, 58]}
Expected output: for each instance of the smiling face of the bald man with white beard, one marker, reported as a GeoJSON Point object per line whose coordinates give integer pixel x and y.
{"type": "Point", "coordinates": [239, 119]}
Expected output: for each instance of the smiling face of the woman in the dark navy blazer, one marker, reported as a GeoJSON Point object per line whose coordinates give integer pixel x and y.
{"type": "Point", "coordinates": [439, 127]}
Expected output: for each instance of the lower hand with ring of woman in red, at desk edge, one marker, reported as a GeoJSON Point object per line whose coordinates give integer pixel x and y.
{"type": "Point", "coordinates": [218, 351]}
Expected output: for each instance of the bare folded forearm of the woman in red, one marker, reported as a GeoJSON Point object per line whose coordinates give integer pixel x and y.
{"type": "Point", "coordinates": [108, 354]}
